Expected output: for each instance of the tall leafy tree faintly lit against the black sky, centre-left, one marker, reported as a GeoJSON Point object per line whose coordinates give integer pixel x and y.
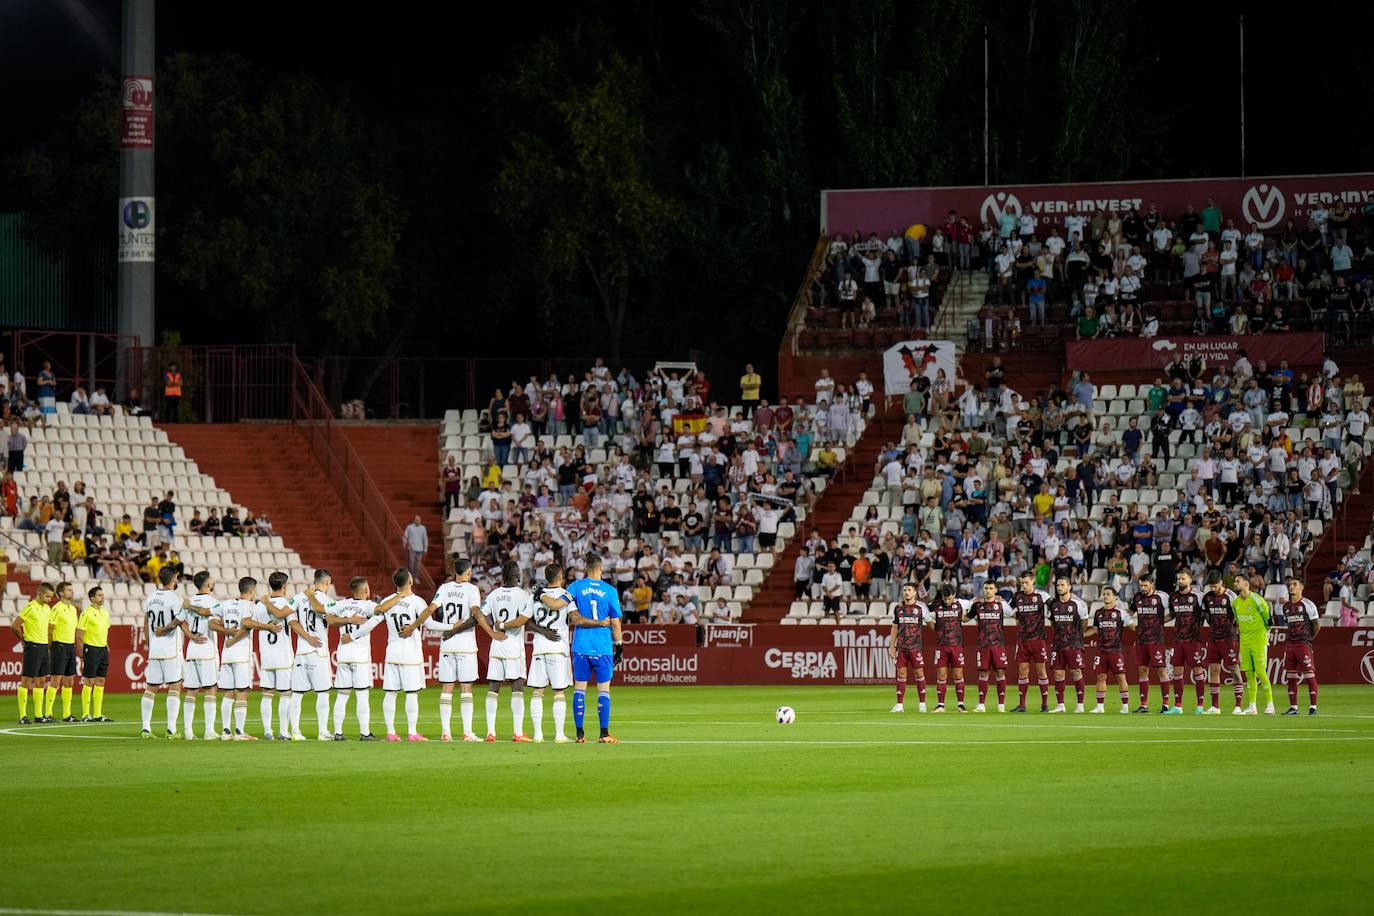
{"type": "Point", "coordinates": [579, 175]}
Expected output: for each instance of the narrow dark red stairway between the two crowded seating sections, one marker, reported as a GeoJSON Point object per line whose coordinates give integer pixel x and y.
{"type": "Point", "coordinates": [832, 512]}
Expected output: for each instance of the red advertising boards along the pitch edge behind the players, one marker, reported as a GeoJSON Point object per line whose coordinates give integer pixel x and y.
{"type": "Point", "coordinates": [766, 654]}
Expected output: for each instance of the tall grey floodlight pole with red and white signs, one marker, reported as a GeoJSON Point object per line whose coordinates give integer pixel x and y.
{"type": "Point", "coordinates": [137, 209]}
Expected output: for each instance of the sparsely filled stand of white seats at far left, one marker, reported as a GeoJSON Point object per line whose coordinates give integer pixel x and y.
{"type": "Point", "coordinates": [85, 474]}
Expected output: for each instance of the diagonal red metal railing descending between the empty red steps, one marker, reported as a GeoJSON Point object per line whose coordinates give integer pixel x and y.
{"type": "Point", "coordinates": [348, 474]}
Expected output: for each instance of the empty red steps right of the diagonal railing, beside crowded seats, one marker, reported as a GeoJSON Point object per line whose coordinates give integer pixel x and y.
{"type": "Point", "coordinates": [405, 466]}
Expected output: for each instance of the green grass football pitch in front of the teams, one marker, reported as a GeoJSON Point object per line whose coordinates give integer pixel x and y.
{"type": "Point", "coordinates": [708, 807]}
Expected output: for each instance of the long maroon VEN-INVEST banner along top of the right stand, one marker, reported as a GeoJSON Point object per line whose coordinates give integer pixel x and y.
{"type": "Point", "coordinates": [1266, 203]}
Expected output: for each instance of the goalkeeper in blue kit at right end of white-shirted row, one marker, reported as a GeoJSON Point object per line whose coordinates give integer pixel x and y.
{"type": "Point", "coordinates": [597, 646]}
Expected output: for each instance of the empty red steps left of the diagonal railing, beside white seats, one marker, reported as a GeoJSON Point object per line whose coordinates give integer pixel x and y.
{"type": "Point", "coordinates": [270, 469]}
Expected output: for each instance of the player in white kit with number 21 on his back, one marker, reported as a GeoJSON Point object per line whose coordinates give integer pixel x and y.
{"type": "Point", "coordinates": [457, 615]}
